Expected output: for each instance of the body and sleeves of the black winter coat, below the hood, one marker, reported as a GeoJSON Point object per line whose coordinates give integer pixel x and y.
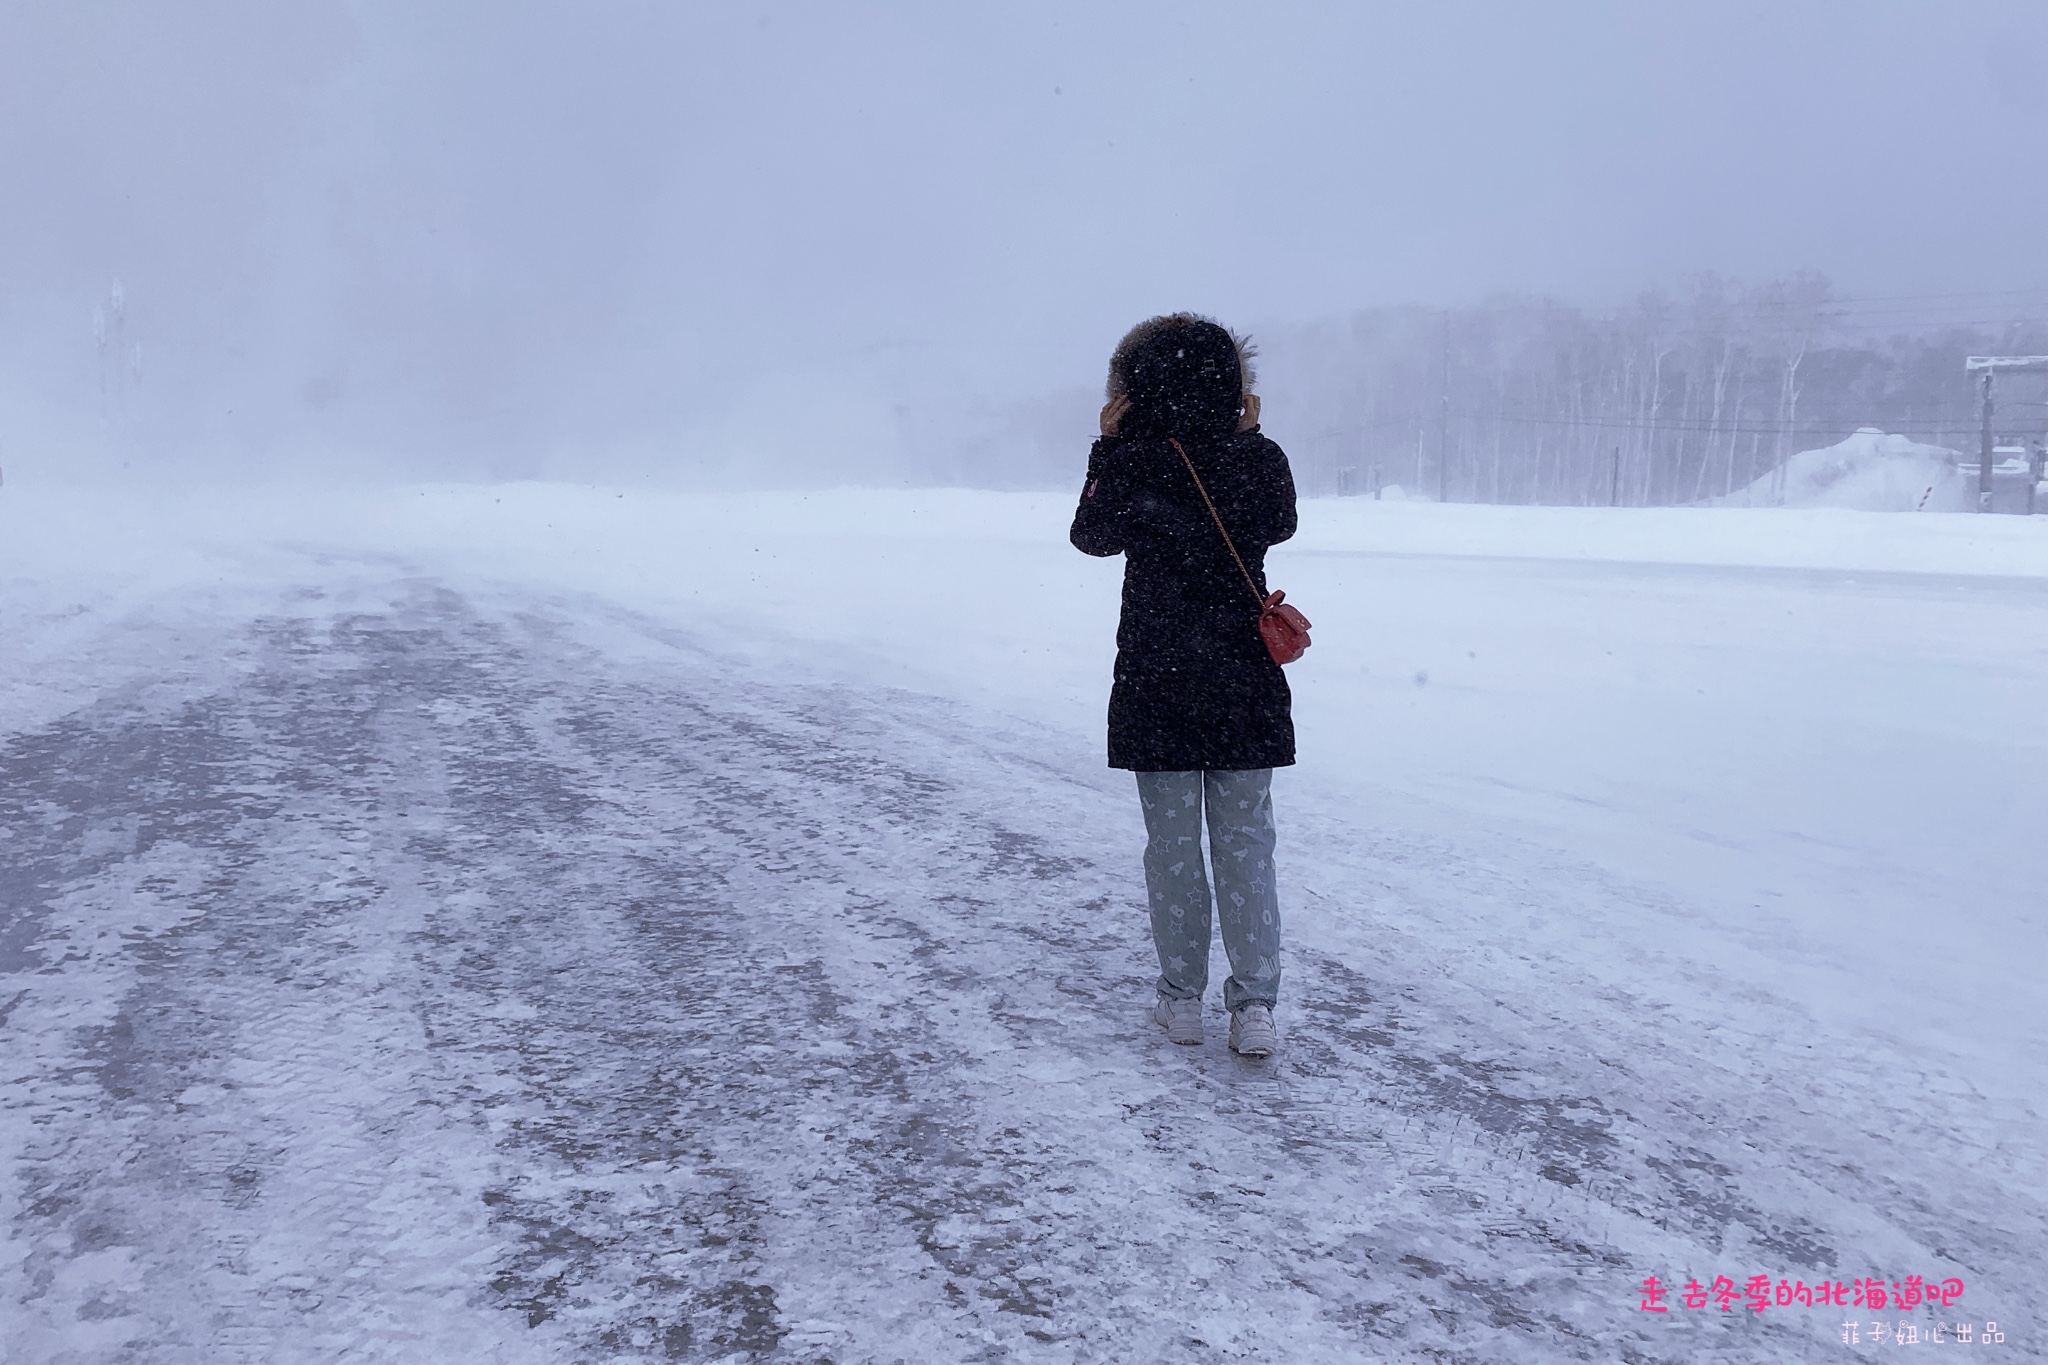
{"type": "Point", "coordinates": [1195, 687]}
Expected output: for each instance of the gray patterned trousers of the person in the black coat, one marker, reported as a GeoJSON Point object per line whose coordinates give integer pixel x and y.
{"type": "Point", "coordinates": [1242, 848]}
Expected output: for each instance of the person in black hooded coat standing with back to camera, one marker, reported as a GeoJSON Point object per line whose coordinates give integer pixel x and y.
{"type": "Point", "coordinates": [1199, 711]}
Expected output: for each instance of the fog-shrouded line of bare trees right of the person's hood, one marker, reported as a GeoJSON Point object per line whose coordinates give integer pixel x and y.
{"type": "Point", "coordinates": [1668, 400]}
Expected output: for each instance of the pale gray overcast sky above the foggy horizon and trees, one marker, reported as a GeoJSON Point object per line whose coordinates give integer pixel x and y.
{"type": "Point", "coordinates": [435, 228]}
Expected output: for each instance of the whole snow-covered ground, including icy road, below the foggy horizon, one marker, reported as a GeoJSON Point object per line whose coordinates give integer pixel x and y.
{"type": "Point", "coordinates": [560, 924]}
